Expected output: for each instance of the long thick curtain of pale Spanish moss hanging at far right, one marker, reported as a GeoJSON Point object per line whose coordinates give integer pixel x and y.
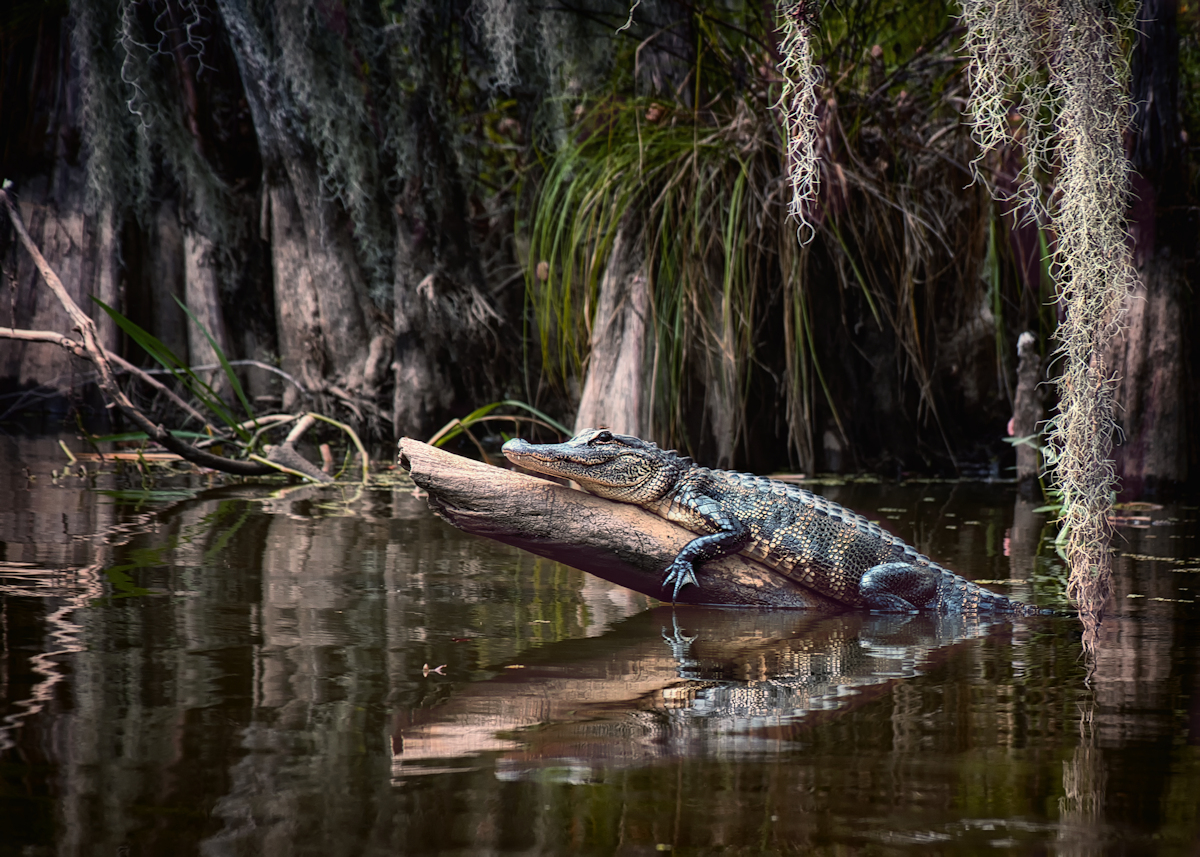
{"type": "Point", "coordinates": [1067, 62]}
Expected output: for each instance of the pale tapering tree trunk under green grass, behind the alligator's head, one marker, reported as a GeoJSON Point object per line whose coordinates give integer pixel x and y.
{"type": "Point", "coordinates": [615, 393]}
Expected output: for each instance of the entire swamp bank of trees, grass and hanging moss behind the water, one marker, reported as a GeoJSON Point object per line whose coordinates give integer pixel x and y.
{"type": "Point", "coordinates": [766, 236]}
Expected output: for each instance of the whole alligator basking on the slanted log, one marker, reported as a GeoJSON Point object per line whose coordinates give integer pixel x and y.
{"type": "Point", "coordinates": [793, 531]}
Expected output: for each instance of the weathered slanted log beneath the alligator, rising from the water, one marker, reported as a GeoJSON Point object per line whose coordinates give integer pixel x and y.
{"type": "Point", "coordinates": [616, 542]}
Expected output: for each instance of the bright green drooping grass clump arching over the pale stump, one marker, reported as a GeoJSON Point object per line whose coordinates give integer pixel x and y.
{"type": "Point", "coordinates": [707, 191]}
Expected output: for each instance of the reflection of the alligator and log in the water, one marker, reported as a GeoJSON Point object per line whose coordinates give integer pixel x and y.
{"type": "Point", "coordinates": [727, 682]}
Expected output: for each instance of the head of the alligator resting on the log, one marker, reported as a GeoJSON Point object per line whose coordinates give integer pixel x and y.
{"type": "Point", "coordinates": [617, 468]}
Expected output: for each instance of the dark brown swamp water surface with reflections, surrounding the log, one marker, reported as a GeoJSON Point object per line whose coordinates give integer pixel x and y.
{"type": "Point", "coordinates": [242, 672]}
